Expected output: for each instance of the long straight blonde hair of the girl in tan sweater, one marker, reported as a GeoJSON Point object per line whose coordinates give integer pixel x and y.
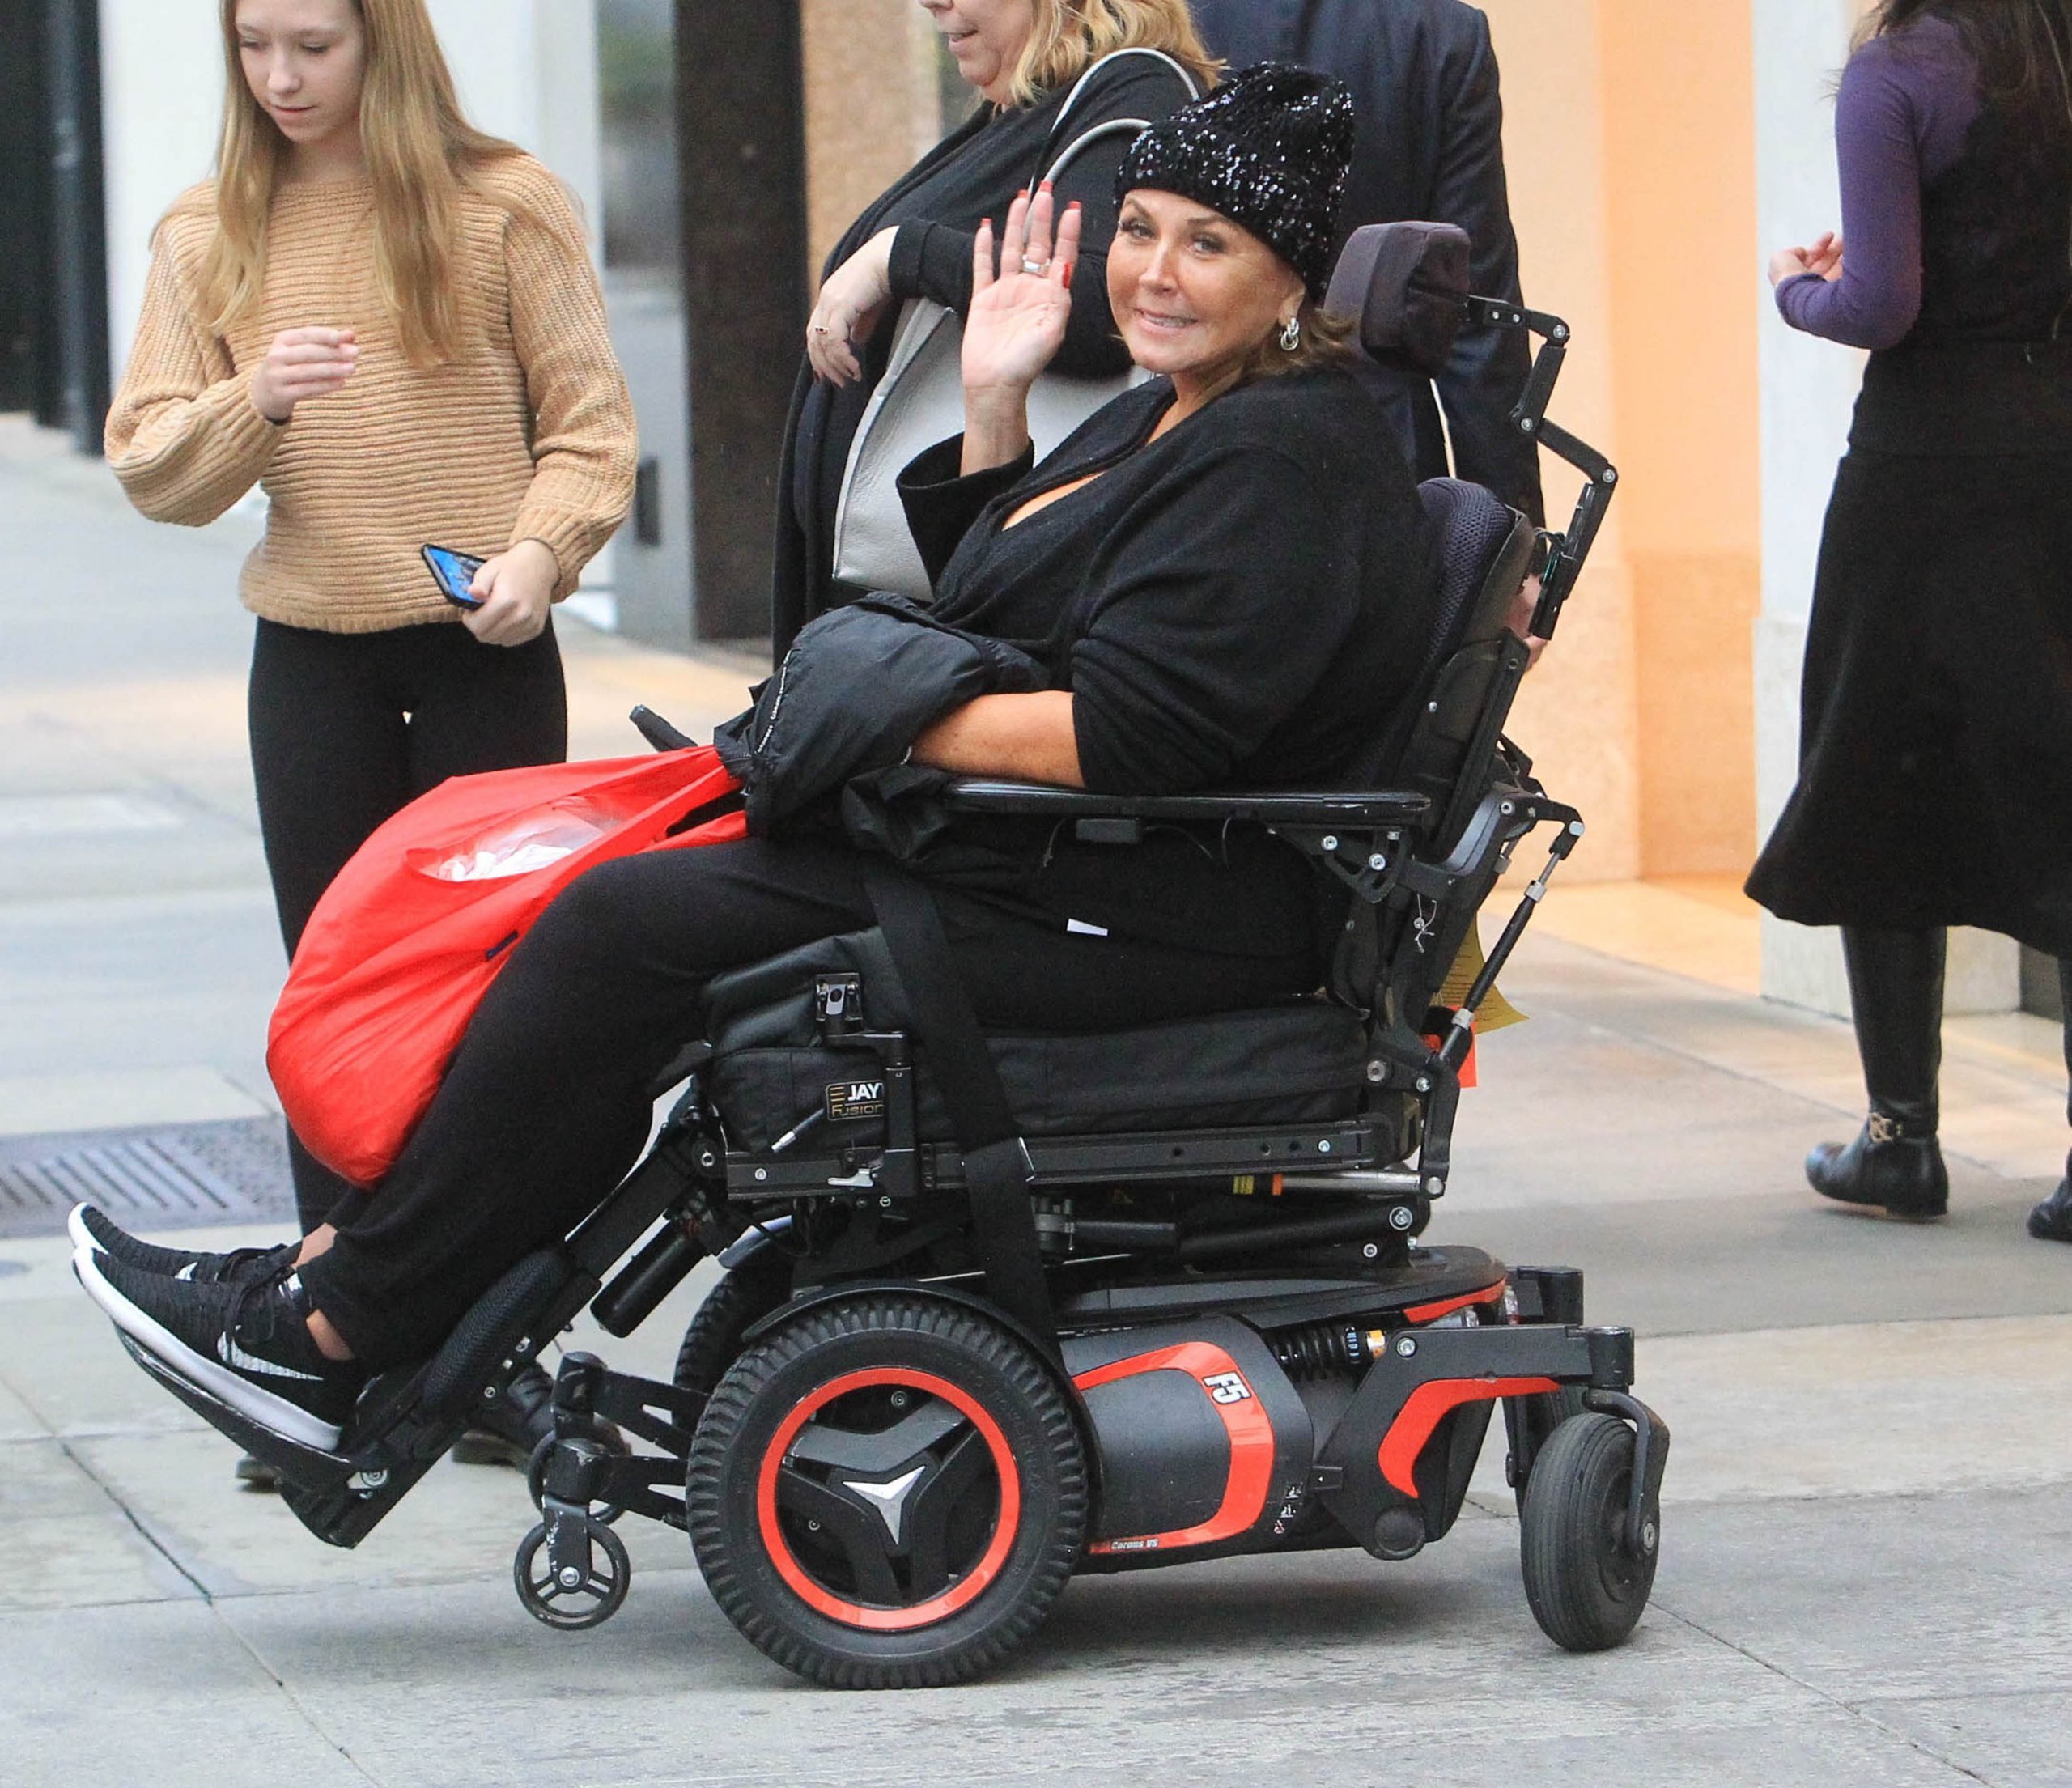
{"type": "Point", "coordinates": [422, 156]}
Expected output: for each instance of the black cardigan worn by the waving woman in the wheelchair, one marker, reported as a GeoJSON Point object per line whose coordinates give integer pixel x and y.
{"type": "Point", "coordinates": [1238, 604]}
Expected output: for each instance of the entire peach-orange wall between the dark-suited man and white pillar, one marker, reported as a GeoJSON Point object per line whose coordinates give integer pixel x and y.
{"type": "Point", "coordinates": [1632, 152]}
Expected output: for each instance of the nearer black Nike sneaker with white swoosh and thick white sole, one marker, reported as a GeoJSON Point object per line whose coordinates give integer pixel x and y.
{"type": "Point", "coordinates": [246, 1346]}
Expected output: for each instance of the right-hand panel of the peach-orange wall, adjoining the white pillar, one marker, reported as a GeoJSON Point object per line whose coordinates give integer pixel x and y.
{"type": "Point", "coordinates": [1681, 165]}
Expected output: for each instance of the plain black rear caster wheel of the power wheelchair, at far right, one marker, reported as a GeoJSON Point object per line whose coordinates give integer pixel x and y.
{"type": "Point", "coordinates": [1582, 1582]}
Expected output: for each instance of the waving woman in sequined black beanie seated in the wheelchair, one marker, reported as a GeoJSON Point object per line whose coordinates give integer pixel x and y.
{"type": "Point", "coordinates": [1226, 581]}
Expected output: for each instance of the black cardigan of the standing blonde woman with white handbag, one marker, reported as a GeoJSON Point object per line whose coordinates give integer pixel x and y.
{"type": "Point", "coordinates": [938, 206]}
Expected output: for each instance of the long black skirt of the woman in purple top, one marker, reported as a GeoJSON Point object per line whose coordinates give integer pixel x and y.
{"type": "Point", "coordinates": [1936, 712]}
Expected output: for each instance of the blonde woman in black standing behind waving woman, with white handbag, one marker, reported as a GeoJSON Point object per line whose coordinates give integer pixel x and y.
{"type": "Point", "coordinates": [915, 241]}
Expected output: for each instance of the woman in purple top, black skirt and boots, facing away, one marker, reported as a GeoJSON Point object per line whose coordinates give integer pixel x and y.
{"type": "Point", "coordinates": [1936, 716]}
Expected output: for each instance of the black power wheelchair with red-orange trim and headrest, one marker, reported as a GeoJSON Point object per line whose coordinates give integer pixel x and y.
{"type": "Point", "coordinates": [1006, 1308]}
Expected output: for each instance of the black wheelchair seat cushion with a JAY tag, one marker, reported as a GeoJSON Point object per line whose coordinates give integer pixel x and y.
{"type": "Point", "coordinates": [1300, 1062]}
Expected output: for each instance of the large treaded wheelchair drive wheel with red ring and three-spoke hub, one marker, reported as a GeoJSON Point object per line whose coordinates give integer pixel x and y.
{"type": "Point", "coordinates": [915, 1594]}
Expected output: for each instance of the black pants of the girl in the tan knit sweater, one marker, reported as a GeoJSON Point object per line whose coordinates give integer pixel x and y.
{"type": "Point", "coordinates": [351, 728]}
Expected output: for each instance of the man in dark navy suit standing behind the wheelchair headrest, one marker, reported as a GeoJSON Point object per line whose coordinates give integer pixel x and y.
{"type": "Point", "coordinates": [1431, 148]}
